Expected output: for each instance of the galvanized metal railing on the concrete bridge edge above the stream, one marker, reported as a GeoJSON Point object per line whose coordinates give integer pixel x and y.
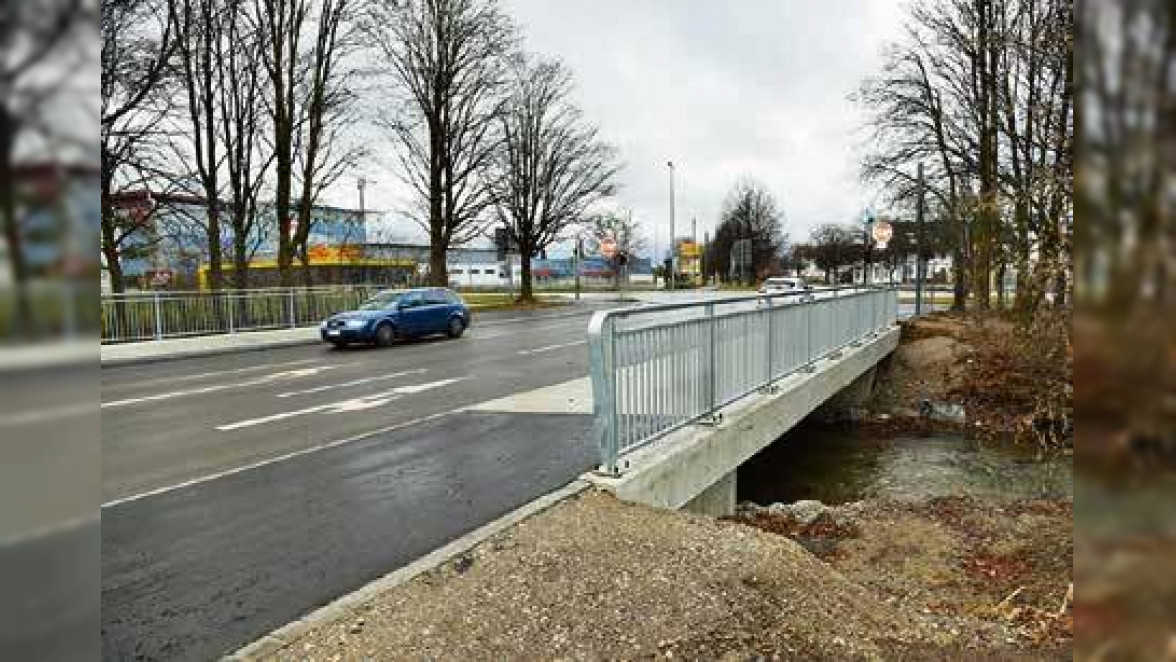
{"type": "Point", "coordinates": [658, 369]}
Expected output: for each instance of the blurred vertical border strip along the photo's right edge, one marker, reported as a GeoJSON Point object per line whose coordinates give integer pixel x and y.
{"type": "Point", "coordinates": [1125, 336]}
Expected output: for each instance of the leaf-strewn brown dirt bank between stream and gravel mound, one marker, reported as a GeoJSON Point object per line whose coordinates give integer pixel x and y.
{"type": "Point", "coordinates": [995, 578]}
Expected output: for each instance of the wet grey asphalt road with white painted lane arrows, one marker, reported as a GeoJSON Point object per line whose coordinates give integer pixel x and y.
{"type": "Point", "coordinates": [242, 492]}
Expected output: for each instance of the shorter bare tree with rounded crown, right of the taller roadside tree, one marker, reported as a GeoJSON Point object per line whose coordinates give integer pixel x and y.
{"type": "Point", "coordinates": [552, 166]}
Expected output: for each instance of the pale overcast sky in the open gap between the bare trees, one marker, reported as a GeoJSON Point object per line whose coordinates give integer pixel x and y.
{"type": "Point", "coordinates": [725, 89]}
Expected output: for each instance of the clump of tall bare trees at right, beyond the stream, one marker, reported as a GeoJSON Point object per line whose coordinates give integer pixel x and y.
{"type": "Point", "coordinates": [980, 91]}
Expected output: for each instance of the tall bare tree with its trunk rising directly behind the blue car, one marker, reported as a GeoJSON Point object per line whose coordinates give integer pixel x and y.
{"type": "Point", "coordinates": [450, 58]}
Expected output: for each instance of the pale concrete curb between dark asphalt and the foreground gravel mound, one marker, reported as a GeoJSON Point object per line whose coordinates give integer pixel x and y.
{"type": "Point", "coordinates": [346, 606]}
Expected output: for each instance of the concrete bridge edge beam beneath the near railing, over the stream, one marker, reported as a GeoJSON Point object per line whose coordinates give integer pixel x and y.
{"type": "Point", "coordinates": [676, 471]}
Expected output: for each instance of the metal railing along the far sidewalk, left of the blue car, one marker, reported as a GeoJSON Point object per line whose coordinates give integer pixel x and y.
{"type": "Point", "coordinates": [158, 316]}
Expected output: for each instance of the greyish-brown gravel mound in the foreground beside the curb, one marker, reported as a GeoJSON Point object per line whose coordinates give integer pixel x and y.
{"type": "Point", "coordinates": [599, 579]}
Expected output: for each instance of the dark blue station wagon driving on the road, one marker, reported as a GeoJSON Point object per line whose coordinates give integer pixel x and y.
{"type": "Point", "coordinates": [395, 315]}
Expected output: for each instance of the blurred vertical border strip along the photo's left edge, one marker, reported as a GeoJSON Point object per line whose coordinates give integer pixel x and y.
{"type": "Point", "coordinates": [50, 463]}
